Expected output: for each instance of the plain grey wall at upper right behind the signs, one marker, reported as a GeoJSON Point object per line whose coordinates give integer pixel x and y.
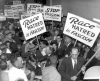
{"type": "Point", "coordinates": [85, 8]}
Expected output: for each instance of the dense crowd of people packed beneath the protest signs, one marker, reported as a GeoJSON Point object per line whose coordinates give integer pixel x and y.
{"type": "Point", "coordinates": [51, 55]}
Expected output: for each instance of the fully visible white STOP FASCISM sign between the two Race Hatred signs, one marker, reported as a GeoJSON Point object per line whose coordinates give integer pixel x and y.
{"type": "Point", "coordinates": [52, 13]}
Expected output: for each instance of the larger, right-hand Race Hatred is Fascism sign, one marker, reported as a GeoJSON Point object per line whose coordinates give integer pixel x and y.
{"type": "Point", "coordinates": [81, 29]}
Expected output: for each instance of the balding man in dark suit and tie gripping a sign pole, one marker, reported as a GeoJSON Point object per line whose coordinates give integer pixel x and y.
{"type": "Point", "coordinates": [70, 66]}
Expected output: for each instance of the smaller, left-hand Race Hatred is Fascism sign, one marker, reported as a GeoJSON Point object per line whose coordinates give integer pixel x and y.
{"type": "Point", "coordinates": [33, 26]}
